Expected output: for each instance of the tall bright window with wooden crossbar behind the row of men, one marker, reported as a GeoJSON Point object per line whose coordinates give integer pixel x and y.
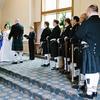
{"type": "Point", "coordinates": [54, 9]}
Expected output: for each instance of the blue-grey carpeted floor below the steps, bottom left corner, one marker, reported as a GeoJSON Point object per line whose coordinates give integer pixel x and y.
{"type": "Point", "coordinates": [7, 93]}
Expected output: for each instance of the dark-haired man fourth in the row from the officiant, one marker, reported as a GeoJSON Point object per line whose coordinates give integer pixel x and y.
{"type": "Point", "coordinates": [74, 56]}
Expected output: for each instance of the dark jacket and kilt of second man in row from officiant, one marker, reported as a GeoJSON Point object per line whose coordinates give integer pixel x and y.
{"type": "Point", "coordinates": [55, 34]}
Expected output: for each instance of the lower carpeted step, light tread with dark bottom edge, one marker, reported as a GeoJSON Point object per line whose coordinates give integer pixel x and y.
{"type": "Point", "coordinates": [30, 88]}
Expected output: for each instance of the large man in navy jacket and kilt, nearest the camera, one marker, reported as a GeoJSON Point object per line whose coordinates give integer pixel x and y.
{"type": "Point", "coordinates": [90, 33]}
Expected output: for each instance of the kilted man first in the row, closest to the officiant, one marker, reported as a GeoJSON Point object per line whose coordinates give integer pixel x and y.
{"type": "Point", "coordinates": [45, 43]}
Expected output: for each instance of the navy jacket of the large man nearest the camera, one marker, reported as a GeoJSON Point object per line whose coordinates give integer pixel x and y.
{"type": "Point", "coordinates": [90, 33]}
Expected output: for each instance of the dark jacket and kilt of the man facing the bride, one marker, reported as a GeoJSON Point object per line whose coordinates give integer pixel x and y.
{"type": "Point", "coordinates": [17, 33]}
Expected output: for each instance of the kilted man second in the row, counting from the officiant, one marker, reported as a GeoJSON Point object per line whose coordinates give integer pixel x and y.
{"type": "Point", "coordinates": [55, 34]}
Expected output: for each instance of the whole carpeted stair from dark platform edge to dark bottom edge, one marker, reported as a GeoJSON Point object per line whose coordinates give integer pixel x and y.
{"type": "Point", "coordinates": [33, 87]}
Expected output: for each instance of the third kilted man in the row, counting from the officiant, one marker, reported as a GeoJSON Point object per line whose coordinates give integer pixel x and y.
{"type": "Point", "coordinates": [65, 44]}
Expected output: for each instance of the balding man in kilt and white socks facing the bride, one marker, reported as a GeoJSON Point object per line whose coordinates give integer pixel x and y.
{"type": "Point", "coordinates": [16, 33]}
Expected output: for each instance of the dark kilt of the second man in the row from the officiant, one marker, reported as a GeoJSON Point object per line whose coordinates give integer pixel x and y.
{"type": "Point", "coordinates": [54, 48]}
